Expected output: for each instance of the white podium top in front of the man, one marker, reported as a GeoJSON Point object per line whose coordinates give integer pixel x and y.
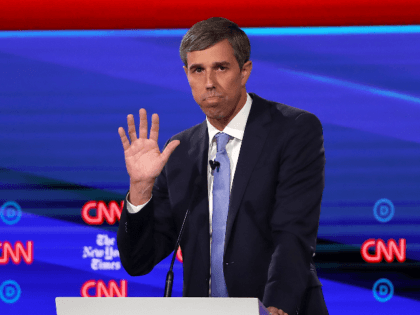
{"type": "Point", "coordinates": [158, 306]}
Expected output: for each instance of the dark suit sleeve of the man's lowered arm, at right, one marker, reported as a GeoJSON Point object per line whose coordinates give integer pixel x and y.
{"type": "Point", "coordinates": [295, 219]}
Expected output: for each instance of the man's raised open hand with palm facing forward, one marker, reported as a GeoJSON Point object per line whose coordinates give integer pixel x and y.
{"type": "Point", "coordinates": [143, 159]}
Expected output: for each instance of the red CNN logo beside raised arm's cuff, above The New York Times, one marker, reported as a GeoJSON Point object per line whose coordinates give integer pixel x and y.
{"type": "Point", "coordinates": [110, 213]}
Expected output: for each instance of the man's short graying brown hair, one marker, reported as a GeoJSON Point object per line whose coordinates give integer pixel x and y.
{"type": "Point", "coordinates": [207, 33]}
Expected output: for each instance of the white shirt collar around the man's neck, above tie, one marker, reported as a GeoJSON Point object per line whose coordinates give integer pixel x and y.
{"type": "Point", "coordinates": [236, 126]}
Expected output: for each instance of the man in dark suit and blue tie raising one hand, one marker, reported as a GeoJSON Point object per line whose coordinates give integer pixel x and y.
{"type": "Point", "coordinates": [254, 211]}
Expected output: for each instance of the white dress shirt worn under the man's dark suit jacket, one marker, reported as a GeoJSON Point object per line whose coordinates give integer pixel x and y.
{"type": "Point", "coordinates": [235, 129]}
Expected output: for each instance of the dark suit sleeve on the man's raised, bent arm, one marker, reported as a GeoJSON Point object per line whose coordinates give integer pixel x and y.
{"type": "Point", "coordinates": [148, 236]}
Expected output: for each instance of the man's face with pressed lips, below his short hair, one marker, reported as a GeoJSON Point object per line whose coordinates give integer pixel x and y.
{"type": "Point", "coordinates": [217, 83]}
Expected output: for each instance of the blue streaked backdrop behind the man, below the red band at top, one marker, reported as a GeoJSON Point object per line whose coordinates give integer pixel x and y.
{"type": "Point", "coordinates": [63, 96]}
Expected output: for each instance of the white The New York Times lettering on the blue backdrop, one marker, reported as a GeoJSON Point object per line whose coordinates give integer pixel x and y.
{"type": "Point", "coordinates": [105, 255]}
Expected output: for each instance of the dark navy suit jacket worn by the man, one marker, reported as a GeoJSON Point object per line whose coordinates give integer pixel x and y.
{"type": "Point", "coordinates": [273, 214]}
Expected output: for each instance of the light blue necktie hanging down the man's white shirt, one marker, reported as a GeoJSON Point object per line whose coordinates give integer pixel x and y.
{"type": "Point", "coordinates": [221, 194]}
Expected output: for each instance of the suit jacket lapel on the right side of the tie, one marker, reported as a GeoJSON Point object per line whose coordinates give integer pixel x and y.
{"type": "Point", "coordinates": [255, 134]}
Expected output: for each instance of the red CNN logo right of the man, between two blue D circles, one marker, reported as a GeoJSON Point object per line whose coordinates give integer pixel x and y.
{"type": "Point", "coordinates": [388, 251]}
